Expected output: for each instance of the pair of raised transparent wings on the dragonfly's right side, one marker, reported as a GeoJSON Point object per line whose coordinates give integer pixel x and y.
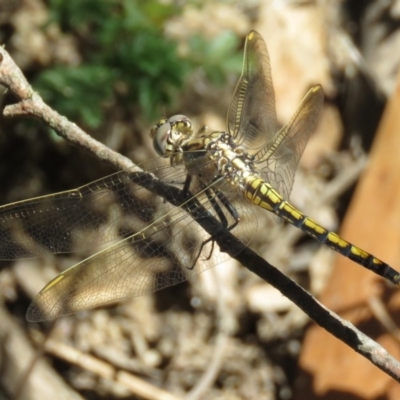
{"type": "Point", "coordinates": [252, 118]}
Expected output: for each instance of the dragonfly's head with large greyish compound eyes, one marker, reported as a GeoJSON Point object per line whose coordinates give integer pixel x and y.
{"type": "Point", "coordinates": [168, 133]}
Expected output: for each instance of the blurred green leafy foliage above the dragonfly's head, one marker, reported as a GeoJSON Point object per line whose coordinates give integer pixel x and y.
{"type": "Point", "coordinates": [126, 60]}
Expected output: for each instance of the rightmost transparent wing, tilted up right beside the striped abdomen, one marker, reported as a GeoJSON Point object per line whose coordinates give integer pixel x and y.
{"type": "Point", "coordinates": [282, 155]}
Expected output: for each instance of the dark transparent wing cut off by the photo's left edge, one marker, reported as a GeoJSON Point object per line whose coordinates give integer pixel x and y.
{"type": "Point", "coordinates": [100, 212]}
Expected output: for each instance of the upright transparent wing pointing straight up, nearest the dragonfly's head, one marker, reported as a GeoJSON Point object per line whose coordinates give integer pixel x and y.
{"type": "Point", "coordinates": [252, 114]}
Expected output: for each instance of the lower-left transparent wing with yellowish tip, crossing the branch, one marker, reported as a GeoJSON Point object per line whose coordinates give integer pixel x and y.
{"type": "Point", "coordinates": [163, 253]}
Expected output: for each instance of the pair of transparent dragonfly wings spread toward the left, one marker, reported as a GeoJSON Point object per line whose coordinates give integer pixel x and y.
{"type": "Point", "coordinates": [151, 243]}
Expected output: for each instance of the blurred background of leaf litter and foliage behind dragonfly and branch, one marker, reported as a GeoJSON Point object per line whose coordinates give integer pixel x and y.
{"type": "Point", "coordinates": [114, 67]}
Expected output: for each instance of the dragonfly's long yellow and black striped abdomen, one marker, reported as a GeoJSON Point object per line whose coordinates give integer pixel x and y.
{"type": "Point", "coordinates": [260, 193]}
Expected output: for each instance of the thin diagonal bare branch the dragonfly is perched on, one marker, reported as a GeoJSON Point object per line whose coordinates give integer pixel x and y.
{"type": "Point", "coordinates": [30, 104]}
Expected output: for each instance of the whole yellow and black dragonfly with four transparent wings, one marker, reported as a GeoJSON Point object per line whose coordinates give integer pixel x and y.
{"type": "Point", "coordinates": [149, 239]}
